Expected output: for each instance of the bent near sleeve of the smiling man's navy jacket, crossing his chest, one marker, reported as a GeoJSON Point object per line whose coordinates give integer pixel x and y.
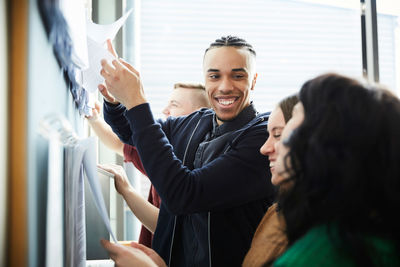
{"type": "Point", "coordinates": [234, 178]}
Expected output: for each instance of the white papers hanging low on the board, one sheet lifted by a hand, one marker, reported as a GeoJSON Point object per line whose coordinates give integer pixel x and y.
{"type": "Point", "coordinates": [79, 158]}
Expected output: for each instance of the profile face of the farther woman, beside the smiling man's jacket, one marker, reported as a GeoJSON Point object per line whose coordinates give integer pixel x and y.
{"type": "Point", "coordinates": [276, 123]}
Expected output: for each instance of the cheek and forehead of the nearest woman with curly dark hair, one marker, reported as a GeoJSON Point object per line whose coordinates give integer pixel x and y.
{"type": "Point", "coordinates": [281, 149]}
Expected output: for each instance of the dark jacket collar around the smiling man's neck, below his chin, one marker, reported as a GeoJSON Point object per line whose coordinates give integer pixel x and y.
{"type": "Point", "coordinates": [245, 116]}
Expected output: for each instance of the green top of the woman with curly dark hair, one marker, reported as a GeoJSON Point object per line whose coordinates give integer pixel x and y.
{"type": "Point", "coordinates": [316, 248]}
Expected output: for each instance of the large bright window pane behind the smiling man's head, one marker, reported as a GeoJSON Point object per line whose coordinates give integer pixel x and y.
{"type": "Point", "coordinates": [294, 40]}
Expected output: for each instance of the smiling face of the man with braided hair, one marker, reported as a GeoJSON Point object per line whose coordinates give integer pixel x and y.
{"type": "Point", "coordinates": [229, 77]}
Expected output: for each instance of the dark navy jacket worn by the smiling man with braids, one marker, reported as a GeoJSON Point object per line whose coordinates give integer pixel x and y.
{"type": "Point", "coordinates": [214, 183]}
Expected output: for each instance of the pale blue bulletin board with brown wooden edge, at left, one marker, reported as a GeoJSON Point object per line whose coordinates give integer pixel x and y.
{"type": "Point", "coordinates": [38, 86]}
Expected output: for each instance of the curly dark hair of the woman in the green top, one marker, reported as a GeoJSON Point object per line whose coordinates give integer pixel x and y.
{"type": "Point", "coordinates": [345, 164]}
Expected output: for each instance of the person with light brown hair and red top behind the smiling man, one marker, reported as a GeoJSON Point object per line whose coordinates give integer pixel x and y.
{"type": "Point", "coordinates": [186, 98]}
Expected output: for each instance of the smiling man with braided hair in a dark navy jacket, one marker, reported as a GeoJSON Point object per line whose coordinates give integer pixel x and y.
{"type": "Point", "coordinates": [214, 184]}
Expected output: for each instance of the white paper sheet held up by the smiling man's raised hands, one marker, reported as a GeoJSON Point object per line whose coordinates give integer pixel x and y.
{"type": "Point", "coordinates": [97, 36]}
